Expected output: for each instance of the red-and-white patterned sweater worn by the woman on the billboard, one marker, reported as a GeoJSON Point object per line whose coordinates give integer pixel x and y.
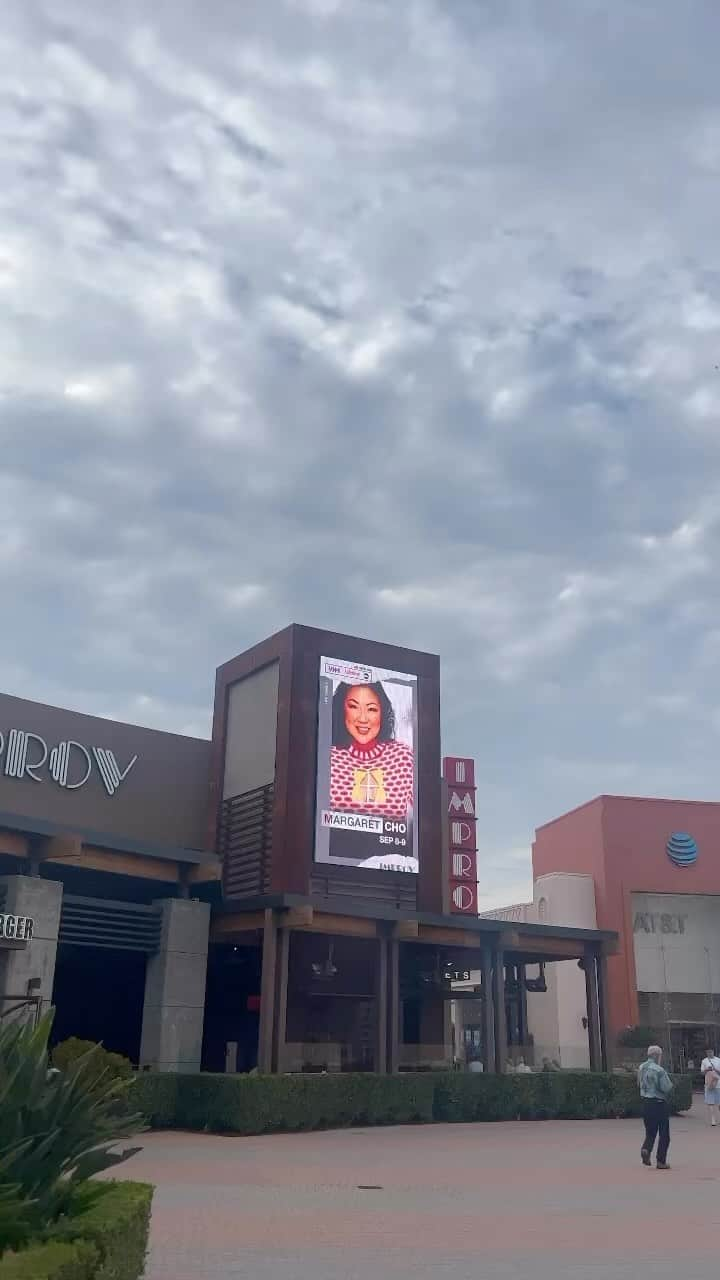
{"type": "Point", "coordinates": [376, 780]}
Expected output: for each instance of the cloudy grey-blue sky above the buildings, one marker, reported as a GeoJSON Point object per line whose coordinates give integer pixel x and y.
{"type": "Point", "coordinates": [395, 318]}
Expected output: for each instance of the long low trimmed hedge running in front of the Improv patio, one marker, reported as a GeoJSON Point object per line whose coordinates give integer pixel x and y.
{"type": "Point", "coordinates": [248, 1105]}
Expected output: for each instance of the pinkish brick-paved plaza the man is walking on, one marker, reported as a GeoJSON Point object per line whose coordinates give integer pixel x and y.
{"type": "Point", "coordinates": [535, 1200]}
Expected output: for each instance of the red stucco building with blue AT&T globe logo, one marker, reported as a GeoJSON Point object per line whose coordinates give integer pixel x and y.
{"type": "Point", "coordinates": [655, 867]}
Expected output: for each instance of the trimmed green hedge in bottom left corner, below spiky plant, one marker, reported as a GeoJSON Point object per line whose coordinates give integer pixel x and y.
{"type": "Point", "coordinates": [103, 1238]}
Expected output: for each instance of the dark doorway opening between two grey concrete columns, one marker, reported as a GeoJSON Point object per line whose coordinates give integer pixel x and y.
{"type": "Point", "coordinates": [99, 995]}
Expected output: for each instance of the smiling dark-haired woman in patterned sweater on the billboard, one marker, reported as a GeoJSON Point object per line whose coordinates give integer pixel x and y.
{"type": "Point", "coordinates": [371, 771]}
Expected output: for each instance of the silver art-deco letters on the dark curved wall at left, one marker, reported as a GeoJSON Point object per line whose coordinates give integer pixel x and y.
{"type": "Point", "coordinates": [70, 764]}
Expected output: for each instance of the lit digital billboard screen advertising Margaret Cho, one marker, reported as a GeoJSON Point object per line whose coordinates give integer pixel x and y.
{"type": "Point", "coordinates": [367, 771]}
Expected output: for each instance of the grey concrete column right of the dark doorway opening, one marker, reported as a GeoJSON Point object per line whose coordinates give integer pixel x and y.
{"type": "Point", "coordinates": [175, 990]}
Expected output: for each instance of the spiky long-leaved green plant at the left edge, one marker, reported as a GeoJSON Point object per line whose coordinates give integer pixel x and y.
{"type": "Point", "coordinates": [57, 1128]}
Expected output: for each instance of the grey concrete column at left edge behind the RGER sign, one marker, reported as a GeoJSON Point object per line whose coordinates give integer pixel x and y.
{"type": "Point", "coordinates": [40, 902]}
